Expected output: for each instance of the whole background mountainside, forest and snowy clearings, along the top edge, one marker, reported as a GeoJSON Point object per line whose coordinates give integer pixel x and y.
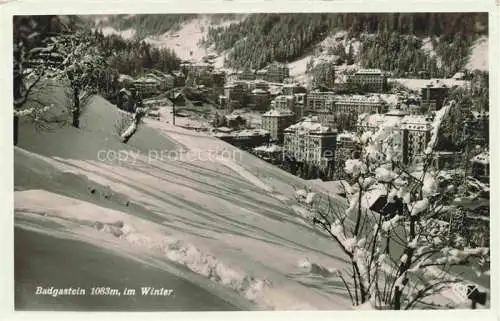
{"type": "Point", "coordinates": [428, 44]}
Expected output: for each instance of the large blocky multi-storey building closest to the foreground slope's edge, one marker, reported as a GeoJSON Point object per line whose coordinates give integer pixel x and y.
{"type": "Point", "coordinates": [310, 142]}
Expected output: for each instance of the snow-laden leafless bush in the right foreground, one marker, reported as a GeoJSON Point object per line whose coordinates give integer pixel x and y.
{"type": "Point", "coordinates": [401, 253]}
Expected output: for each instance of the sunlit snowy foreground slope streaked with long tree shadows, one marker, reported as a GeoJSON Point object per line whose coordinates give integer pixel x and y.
{"type": "Point", "coordinates": [205, 212]}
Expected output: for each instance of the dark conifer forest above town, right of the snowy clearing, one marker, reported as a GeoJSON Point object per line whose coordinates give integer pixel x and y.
{"type": "Point", "coordinates": [390, 41]}
